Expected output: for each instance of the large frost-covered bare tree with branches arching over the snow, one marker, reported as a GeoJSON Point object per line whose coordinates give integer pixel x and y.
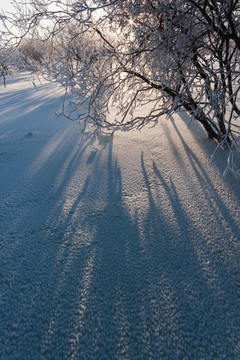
{"type": "Point", "coordinates": [124, 54]}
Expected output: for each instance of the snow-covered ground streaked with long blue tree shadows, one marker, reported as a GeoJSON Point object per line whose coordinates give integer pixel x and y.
{"type": "Point", "coordinates": [123, 247]}
